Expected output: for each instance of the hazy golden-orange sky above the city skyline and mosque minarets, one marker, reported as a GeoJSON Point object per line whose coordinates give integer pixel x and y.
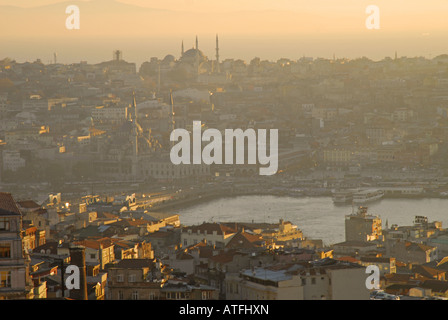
{"type": "Point", "coordinates": [269, 29]}
